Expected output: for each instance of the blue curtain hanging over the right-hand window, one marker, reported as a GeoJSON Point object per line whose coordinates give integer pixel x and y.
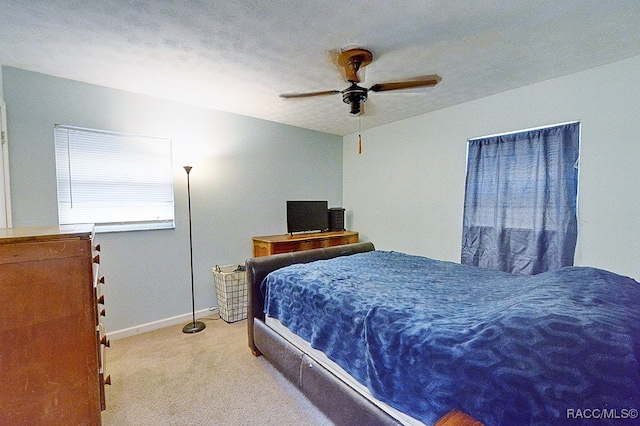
{"type": "Point", "coordinates": [520, 200]}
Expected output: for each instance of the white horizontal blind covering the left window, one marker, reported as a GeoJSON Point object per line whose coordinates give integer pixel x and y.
{"type": "Point", "coordinates": [117, 181]}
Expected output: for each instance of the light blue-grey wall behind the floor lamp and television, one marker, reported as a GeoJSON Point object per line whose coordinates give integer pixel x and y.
{"type": "Point", "coordinates": [244, 170]}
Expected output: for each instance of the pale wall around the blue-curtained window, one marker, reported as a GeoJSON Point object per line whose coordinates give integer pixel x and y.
{"type": "Point", "coordinates": [406, 190]}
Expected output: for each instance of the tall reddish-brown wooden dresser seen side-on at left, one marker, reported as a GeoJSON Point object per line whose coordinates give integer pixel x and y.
{"type": "Point", "coordinates": [52, 345]}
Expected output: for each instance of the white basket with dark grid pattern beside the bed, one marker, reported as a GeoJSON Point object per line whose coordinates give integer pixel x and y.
{"type": "Point", "coordinates": [231, 289]}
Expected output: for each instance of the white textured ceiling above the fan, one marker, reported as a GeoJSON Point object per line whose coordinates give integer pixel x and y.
{"type": "Point", "coordinates": [238, 56]}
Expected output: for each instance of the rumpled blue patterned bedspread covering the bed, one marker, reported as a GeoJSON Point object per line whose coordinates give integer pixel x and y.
{"type": "Point", "coordinates": [427, 336]}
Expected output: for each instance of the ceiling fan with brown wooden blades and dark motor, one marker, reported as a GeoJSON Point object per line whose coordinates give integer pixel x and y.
{"type": "Point", "coordinates": [353, 60]}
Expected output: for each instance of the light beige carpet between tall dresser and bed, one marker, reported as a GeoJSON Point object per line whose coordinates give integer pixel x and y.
{"type": "Point", "coordinates": [167, 377]}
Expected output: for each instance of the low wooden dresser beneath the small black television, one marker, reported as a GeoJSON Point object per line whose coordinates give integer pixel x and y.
{"type": "Point", "coordinates": [286, 243]}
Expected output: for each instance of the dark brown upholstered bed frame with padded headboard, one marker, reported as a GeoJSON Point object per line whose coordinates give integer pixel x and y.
{"type": "Point", "coordinates": [340, 403]}
